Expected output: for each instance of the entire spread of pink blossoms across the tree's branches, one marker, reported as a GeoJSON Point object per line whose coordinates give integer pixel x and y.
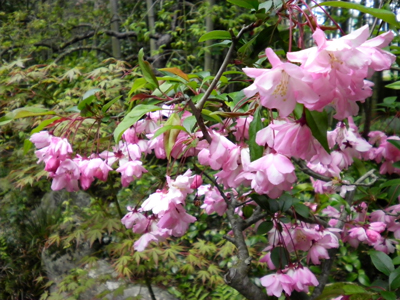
{"type": "Point", "coordinates": [329, 75]}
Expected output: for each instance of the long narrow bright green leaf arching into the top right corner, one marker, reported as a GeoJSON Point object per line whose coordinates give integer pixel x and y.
{"type": "Point", "coordinates": [385, 15]}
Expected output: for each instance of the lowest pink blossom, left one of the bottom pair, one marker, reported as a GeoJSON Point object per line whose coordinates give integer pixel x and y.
{"type": "Point", "coordinates": [275, 283]}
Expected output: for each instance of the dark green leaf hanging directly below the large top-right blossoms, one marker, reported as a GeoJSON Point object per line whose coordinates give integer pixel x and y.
{"type": "Point", "coordinates": [318, 123]}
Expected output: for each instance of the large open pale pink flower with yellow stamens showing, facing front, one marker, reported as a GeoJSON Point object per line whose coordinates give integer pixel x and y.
{"type": "Point", "coordinates": [282, 86]}
